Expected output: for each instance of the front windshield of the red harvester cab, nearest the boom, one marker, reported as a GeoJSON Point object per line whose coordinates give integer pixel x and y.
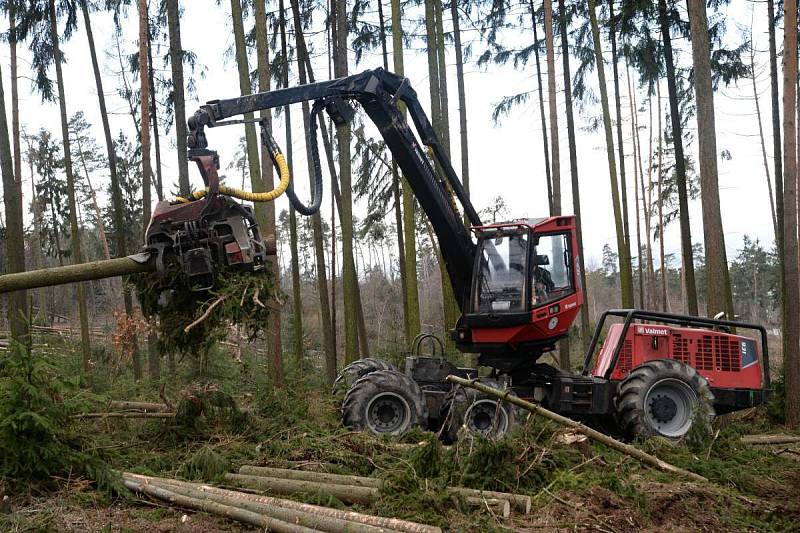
{"type": "Point", "coordinates": [502, 278]}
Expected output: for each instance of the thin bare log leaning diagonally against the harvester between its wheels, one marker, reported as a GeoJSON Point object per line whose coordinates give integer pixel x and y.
{"type": "Point", "coordinates": [627, 449]}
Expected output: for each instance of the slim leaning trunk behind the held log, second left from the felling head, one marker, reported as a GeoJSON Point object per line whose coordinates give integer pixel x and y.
{"type": "Point", "coordinates": [77, 255]}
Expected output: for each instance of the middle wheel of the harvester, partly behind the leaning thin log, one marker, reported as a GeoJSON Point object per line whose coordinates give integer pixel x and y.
{"type": "Point", "coordinates": [479, 413]}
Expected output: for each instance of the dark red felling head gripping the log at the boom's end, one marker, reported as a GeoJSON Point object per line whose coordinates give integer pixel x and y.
{"type": "Point", "coordinates": [206, 234]}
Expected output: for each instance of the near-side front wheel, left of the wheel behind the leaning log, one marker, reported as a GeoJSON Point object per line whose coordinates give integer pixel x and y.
{"type": "Point", "coordinates": [385, 402]}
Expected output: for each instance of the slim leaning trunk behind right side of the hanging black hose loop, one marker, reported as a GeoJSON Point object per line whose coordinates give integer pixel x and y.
{"type": "Point", "coordinates": [316, 219]}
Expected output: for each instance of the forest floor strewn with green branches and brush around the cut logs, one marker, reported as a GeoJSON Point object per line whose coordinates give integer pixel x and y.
{"type": "Point", "coordinates": [575, 486]}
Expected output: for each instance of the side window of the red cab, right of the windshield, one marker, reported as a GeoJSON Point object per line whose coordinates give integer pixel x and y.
{"type": "Point", "coordinates": [552, 269]}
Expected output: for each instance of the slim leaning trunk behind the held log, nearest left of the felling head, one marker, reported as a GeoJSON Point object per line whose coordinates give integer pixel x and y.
{"type": "Point", "coordinates": [117, 211]}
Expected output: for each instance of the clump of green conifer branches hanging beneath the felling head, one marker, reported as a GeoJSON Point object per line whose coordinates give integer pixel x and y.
{"type": "Point", "coordinates": [191, 322]}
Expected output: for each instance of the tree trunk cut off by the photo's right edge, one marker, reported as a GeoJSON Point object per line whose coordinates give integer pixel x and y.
{"type": "Point", "coordinates": [791, 288]}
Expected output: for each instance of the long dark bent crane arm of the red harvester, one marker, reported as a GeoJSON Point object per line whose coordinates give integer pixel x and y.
{"type": "Point", "coordinates": [379, 93]}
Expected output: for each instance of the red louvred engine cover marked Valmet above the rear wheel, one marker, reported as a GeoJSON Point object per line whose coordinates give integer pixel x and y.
{"type": "Point", "coordinates": [726, 361]}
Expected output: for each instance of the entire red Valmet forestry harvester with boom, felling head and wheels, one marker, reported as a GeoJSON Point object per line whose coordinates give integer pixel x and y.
{"type": "Point", "coordinates": [516, 283]}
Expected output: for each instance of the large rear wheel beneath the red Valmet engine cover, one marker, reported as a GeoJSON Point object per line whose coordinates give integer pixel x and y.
{"type": "Point", "coordinates": [663, 398]}
